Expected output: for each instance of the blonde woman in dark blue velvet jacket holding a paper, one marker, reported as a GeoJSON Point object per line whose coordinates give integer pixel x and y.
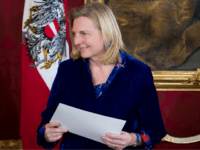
{"type": "Point", "coordinates": [101, 78]}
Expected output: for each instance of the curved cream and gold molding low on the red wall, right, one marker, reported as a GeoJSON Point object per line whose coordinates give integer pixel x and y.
{"type": "Point", "coordinates": [182, 140]}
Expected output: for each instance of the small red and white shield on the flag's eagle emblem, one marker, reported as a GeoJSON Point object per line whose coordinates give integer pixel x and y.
{"type": "Point", "coordinates": [52, 29]}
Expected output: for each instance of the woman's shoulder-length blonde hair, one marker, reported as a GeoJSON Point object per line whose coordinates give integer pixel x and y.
{"type": "Point", "coordinates": [105, 21]}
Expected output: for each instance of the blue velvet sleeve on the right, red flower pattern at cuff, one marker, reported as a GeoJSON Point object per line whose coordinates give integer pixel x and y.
{"type": "Point", "coordinates": [151, 126]}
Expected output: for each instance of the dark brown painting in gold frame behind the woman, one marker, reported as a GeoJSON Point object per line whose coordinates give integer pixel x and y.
{"type": "Point", "coordinates": [164, 34]}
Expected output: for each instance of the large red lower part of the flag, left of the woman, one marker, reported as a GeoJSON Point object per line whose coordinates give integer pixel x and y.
{"type": "Point", "coordinates": [34, 97]}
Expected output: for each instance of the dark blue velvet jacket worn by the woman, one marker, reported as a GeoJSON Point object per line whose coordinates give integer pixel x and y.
{"type": "Point", "coordinates": [131, 96]}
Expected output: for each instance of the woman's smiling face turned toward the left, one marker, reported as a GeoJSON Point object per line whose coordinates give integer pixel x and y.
{"type": "Point", "coordinates": [87, 39]}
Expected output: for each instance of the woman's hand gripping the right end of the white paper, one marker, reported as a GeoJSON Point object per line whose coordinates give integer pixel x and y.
{"type": "Point", "coordinates": [119, 142]}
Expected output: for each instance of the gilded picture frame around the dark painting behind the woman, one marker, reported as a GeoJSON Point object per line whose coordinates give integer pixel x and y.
{"type": "Point", "coordinates": [173, 80]}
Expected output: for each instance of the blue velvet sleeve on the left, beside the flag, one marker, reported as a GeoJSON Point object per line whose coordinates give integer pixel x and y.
{"type": "Point", "coordinates": [52, 104]}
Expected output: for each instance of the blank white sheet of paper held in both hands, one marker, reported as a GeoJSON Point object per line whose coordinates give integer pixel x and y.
{"type": "Point", "coordinates": [86, 124]}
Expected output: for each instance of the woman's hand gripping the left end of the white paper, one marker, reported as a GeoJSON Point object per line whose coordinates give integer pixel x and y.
{"type": "Point", "coordinates": [52, 132]}
